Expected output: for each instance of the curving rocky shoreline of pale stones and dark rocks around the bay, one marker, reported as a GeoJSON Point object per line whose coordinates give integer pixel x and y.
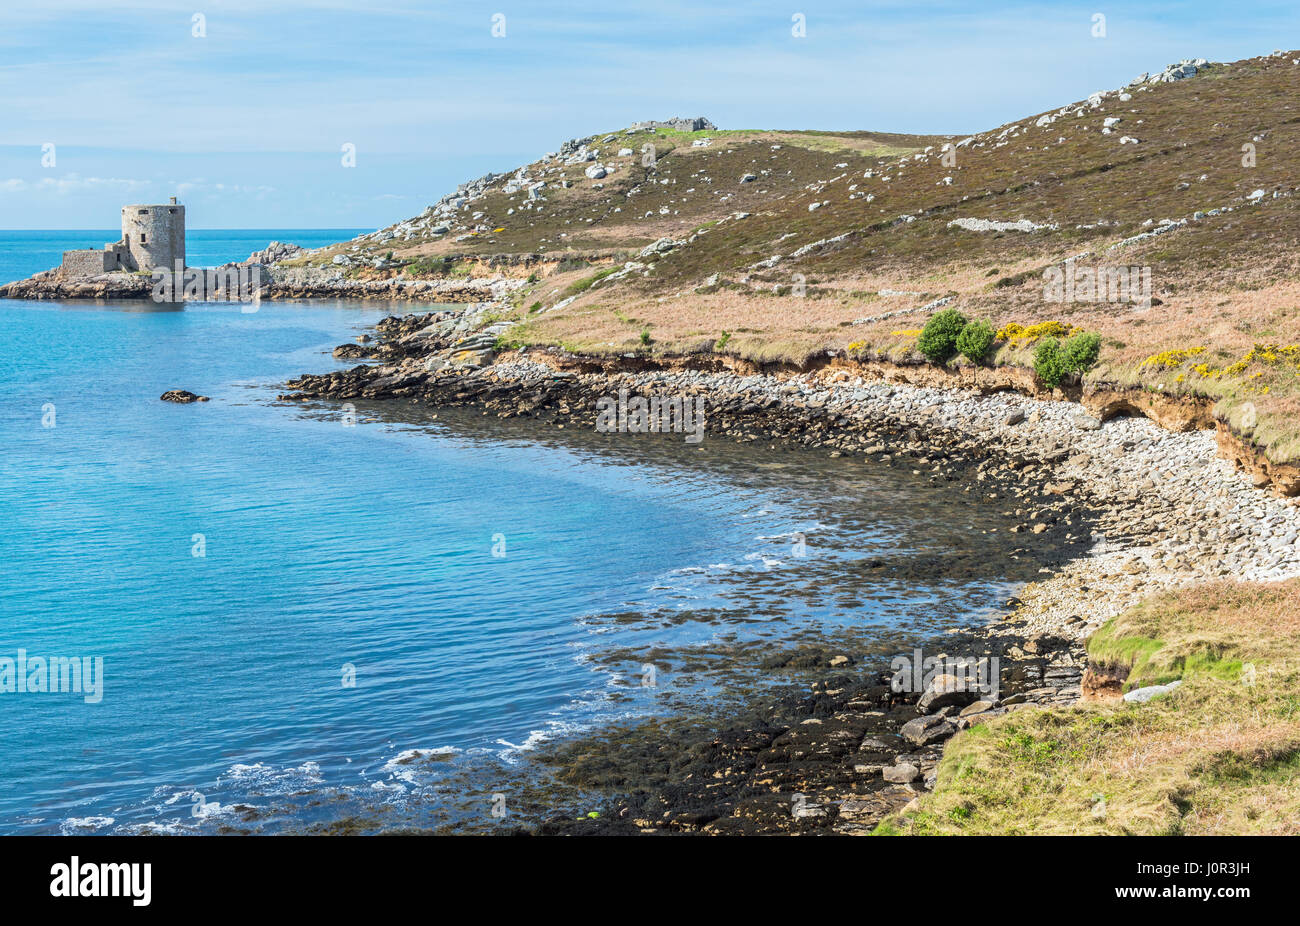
{"type": "Point", "coordinates": [1136, 509]}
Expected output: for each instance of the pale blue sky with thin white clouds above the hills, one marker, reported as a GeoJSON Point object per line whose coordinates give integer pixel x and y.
{"type": "Point", "coordinates": [242, 109]}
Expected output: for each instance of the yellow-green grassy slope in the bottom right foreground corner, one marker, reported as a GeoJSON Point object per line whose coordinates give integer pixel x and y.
{"type": "Point", "coordinates": [1219, 756]}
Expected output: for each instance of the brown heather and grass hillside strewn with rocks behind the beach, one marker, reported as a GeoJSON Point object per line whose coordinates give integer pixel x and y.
{"type": "Point", "coordinates": [1152, 176]}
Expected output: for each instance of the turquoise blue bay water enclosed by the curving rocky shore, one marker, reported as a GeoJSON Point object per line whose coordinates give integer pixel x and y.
{"type": "Point", "coordinates": [233, 562]}
